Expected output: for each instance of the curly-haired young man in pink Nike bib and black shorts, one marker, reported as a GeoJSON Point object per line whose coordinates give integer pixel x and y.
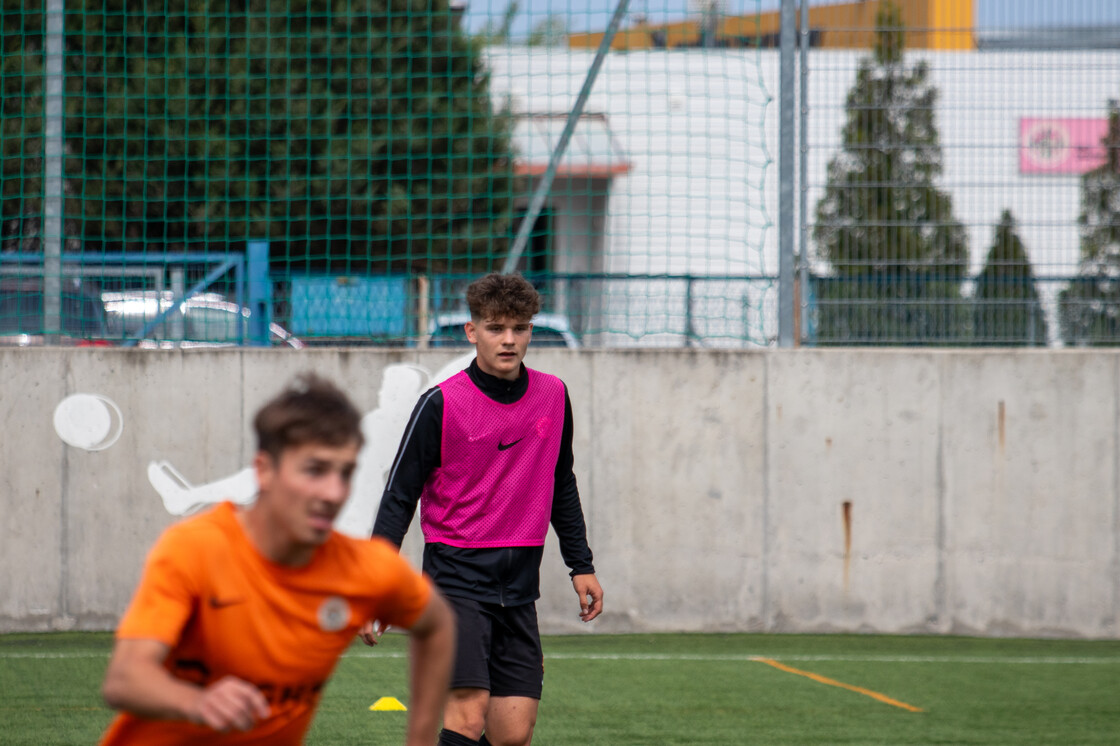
{"type": "Point", "coordinates": [488, 455]}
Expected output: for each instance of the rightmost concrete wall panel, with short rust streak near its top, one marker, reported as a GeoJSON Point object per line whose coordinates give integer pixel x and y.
{"type": "Point", "coordinates": [1031, 441]}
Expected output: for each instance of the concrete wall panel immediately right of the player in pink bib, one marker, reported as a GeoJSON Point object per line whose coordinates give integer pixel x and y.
{"type": "Point", "coordinates": [679, 477]}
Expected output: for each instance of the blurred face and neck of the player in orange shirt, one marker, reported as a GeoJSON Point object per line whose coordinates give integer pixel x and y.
{"type": "Point", "coordinates": [302, 495]}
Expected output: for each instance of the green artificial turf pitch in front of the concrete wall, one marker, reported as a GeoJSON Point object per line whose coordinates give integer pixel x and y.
{"type": "Point", "coordinates": [683, 689]}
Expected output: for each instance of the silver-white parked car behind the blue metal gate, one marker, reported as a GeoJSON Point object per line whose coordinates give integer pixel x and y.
{"type": "Point", "coordinates": [206, 320]}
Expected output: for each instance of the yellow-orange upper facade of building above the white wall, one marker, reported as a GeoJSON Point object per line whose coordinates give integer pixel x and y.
{"type": "Point", "coordinates": [930, 25]}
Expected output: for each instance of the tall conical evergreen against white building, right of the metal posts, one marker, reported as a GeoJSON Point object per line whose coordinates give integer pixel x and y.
{"type": "Point", "coordinates": [897, 253]}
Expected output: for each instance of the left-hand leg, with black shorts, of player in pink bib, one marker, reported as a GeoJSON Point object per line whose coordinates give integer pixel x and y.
{"type": "Point", "coordinates": [465, 714]}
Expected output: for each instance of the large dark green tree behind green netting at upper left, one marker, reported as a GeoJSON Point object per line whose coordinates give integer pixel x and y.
{"type": "Point", "coordinates": [353, 135]}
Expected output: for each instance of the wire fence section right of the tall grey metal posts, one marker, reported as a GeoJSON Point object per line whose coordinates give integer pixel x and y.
{"type": "Point", "coordinates": [964, 197]}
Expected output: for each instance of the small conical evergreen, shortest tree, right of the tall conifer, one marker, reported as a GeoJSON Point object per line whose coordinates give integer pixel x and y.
{"type": "Point", "coordinates": [1006, 309]}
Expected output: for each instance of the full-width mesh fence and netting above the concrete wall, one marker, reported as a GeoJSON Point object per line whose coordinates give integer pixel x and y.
{"type": "Point", "coordinates": [303, 172]}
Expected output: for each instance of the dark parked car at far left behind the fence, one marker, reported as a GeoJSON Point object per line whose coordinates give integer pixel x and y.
{"type": "Point", "coordinates": [82, 318]}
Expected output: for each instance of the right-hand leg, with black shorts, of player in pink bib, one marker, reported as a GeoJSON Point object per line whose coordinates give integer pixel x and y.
{"type": "Point", "coordinates": [517, 677]}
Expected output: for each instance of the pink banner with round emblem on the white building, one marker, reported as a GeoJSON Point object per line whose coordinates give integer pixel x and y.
{"type": "Point", "coordinates": [1061, 146]}
